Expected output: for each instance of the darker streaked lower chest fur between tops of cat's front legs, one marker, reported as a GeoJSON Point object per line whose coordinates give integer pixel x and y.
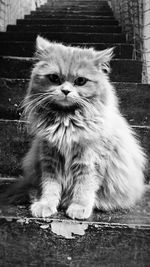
{"type": "Point", "coordinates": [63, 163]}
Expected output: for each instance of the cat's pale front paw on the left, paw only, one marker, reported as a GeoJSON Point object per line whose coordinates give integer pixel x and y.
{"type": "Point", "coordinates": [42, 209]}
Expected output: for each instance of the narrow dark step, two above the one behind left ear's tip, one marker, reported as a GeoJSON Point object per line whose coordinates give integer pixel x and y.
{"type": "Point", "coordinates": [66, 21]}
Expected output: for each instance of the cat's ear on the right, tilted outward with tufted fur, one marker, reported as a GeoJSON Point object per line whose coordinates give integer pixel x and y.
{"type": "Point", "coordinates": [103, 59]}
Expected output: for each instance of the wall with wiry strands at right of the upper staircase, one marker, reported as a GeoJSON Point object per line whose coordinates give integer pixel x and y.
{"type": "Point", "coordinates": [134, 17]}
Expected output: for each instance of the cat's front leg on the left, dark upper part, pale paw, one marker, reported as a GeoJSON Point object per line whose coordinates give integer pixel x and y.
{"type": "Point", "coordinates": [49, 200]}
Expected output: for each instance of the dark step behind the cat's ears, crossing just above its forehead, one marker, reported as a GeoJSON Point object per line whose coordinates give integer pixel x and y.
{"type": "Point", "coordinates": [27, 49]}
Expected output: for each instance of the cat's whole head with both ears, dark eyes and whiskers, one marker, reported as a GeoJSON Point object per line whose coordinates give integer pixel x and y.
{"type": "Point", "coordinates": [67, 78]}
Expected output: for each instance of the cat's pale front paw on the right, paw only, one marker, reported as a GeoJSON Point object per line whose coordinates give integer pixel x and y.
{"type": "Point", "coordinates": [77, 211]}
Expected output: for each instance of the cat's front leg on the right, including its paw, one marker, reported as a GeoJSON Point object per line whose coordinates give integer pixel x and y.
{"type": "Point", "coordinates": [84, 192]}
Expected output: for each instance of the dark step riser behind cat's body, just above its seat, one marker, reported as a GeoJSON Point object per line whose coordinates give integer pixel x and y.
{"type": "Point", "coordinates": [14, 143]}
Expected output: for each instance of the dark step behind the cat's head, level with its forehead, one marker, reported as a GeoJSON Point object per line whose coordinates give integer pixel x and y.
{"type": "Point", "coordinates": [123, 70]}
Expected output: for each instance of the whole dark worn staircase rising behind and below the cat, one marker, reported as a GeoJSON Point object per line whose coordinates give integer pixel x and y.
{"type": "Point", "coordinates": [84, 23]}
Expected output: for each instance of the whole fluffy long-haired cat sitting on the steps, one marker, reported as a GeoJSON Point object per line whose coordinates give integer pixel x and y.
{"type": "Point", "coordinates": [84, 154]}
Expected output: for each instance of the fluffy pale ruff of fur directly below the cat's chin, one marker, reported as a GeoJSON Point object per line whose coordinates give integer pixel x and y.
{"type": "Point", "coordinates": [66, 131]}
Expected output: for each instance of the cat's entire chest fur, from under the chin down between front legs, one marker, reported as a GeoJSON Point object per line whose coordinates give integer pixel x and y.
{"type": "Point", "coordinates": [70, 144]}
